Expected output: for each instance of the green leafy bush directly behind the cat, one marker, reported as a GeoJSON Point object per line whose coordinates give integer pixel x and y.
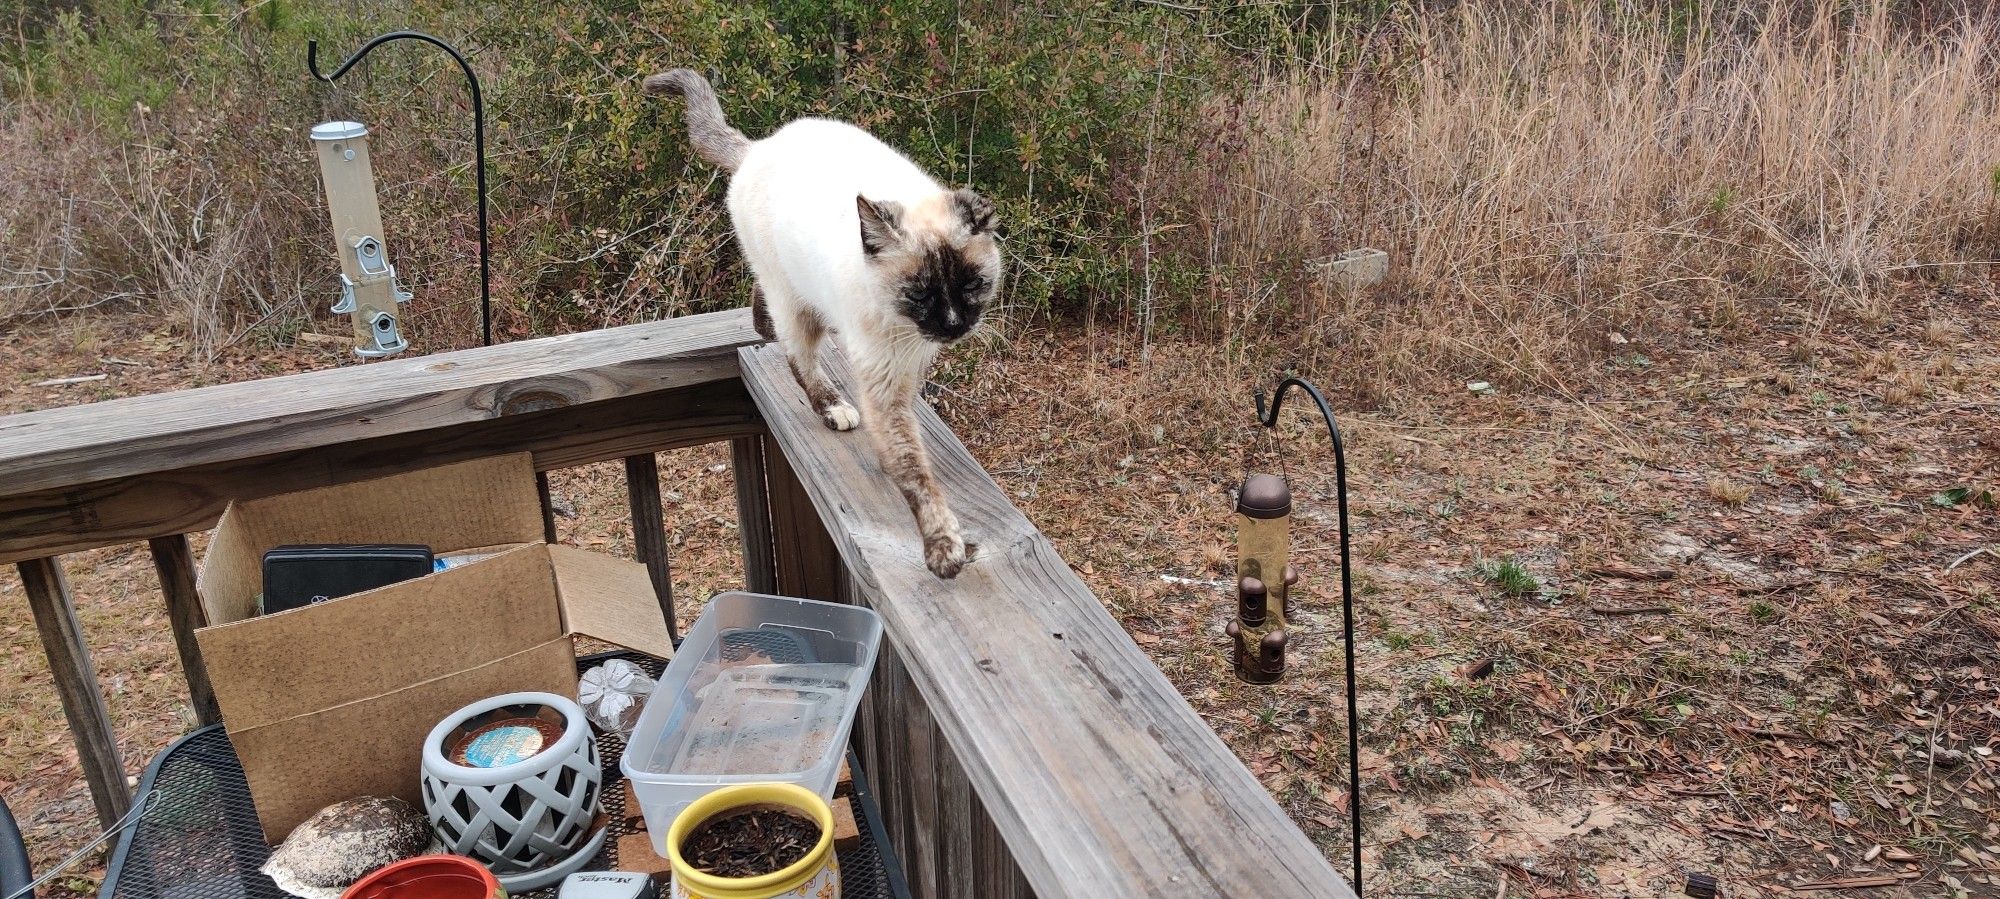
{"type": "Point", "coordinates": [1043, 107]}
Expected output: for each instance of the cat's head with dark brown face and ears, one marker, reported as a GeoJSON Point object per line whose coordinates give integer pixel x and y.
{"type": "Point", "coordinates": [937, 259]}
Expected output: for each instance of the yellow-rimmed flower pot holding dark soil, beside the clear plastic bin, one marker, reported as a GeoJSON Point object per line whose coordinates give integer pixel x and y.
{"type": "Point", "coordinates": [813, 878]}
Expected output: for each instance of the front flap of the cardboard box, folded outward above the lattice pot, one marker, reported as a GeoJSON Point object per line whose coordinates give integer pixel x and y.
{"type": "Point", "coordinates": [295, 662]}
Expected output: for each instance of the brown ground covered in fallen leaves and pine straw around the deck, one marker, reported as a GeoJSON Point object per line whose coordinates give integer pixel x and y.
{"type": "Point", "coordinates": [1735, 600]}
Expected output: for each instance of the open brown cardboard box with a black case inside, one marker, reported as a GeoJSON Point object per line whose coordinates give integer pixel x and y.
{"type": "Point", "coordinates": [335, 700]}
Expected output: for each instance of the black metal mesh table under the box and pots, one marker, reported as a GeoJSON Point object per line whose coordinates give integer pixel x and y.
{"type": "Point", "coordinates": [199, 836]}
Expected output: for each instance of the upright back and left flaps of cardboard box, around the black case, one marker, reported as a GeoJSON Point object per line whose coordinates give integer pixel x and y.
{"type": "Point", "coordinates": [449, 508]}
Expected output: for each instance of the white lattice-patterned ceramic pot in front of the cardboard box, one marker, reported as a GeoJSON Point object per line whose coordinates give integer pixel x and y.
{"type": "Point", "coordinates": [515, 782]}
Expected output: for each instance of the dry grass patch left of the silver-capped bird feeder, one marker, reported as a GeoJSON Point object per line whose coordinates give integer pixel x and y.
{"type": "Point", "coordinates": [181, 219]}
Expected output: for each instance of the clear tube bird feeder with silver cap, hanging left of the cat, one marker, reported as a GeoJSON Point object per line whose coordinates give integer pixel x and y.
{"type": "Point", "coordinates": [369, 291]}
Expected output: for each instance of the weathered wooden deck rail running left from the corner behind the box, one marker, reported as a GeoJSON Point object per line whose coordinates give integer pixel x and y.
{"type": "Point", "coordinates": [101, 474]}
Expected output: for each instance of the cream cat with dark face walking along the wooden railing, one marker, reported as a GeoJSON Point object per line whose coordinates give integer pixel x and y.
{"type": "Point", "coordinates": [849, 237]}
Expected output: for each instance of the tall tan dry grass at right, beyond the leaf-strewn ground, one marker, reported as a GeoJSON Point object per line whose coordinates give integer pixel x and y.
{"type": "Point", "coordinates": [1547, 175]}
